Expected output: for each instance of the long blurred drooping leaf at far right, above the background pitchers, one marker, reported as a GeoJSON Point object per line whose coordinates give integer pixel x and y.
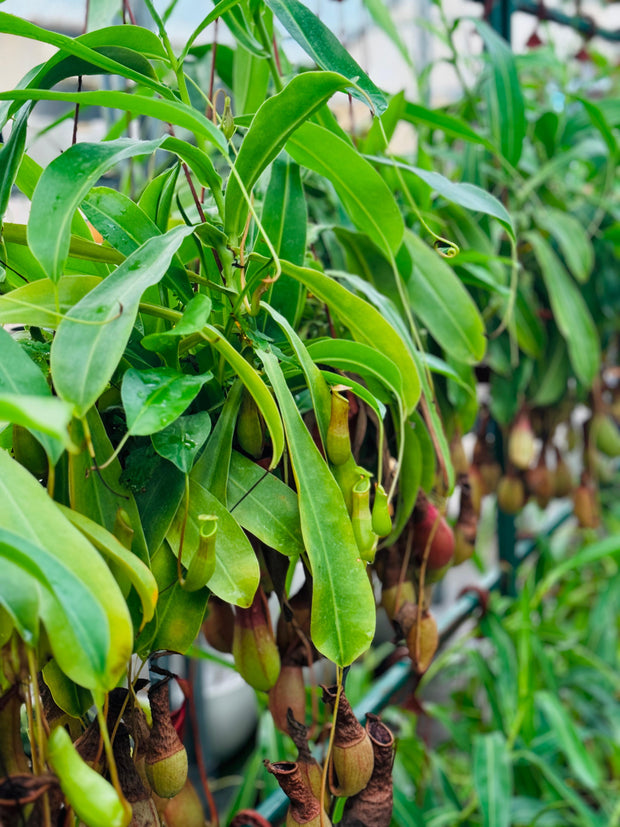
{"type": "Point", "coordinates": [570, 312]}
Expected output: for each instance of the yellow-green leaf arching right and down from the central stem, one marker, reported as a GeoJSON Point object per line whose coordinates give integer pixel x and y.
{"type": "Point", "coordinates": [365, 323]}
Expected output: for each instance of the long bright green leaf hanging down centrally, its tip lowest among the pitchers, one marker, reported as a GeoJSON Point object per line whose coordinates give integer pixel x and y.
{"type": "Point", "coordinates": [343, 610]}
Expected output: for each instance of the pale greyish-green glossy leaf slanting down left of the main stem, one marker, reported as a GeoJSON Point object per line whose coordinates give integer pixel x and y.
{"type": "Point", "coordinates": [90, 341]}
